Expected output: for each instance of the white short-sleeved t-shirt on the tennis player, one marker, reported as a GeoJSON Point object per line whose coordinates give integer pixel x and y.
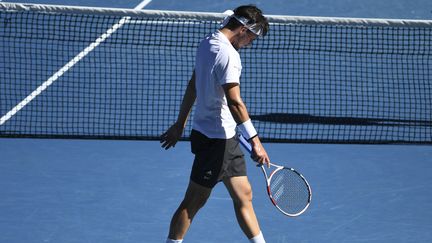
{"type": "Point", "coordinates": [217, 63]}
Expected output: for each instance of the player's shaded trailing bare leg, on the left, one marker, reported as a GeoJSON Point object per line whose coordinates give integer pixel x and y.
{"type": "Point", "coordinates": [195, 197]}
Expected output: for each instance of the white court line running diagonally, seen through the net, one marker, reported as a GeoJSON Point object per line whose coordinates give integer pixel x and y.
{"type": "Point", "coordinates": [69, 65]}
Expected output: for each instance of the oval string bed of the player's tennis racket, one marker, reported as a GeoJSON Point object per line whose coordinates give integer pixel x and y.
{"type": "Point", "coordinates": [289, 191]}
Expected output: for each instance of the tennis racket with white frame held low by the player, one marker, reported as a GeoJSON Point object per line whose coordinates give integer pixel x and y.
{"type": "Point", "coordinates": [288, 190]}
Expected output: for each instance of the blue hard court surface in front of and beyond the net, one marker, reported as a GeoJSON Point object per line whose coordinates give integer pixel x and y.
{"type": "Point", "coordinates": [126, 191]}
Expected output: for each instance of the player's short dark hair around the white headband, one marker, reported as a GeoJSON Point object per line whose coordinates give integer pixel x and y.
{"type": "Point", "coordinates": [252, 13]}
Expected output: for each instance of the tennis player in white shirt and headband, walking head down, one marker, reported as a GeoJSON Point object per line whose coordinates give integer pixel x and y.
{"type": "Point", "coordinates": [214, 86]}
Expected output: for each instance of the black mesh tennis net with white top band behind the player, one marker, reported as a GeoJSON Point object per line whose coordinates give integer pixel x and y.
{"type": "Point", "coordinates": [76, 72]}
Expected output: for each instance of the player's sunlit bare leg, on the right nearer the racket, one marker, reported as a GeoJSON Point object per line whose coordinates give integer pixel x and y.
{"type": "Point", "coordinates": [241, 193]}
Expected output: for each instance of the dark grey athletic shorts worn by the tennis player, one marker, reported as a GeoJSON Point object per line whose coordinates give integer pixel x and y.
{"type": "Point", "coordinates": [215, 159]}
